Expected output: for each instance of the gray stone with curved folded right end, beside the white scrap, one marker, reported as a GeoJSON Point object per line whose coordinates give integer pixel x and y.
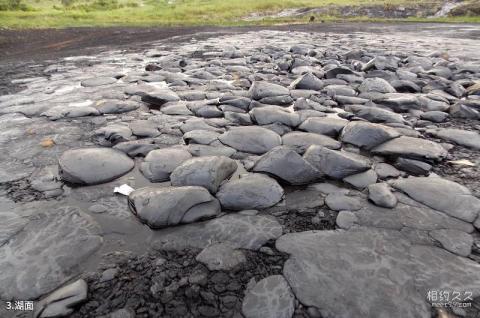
{"type": "Point", "coordinates": [169, 206]}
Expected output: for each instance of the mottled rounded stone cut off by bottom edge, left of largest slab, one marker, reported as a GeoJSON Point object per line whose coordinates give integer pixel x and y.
{"type": "Point", "coordinates": [271, 297]}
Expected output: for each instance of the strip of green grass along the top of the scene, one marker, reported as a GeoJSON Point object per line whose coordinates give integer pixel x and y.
{"type": "Point", "coordinates": [52, 13]}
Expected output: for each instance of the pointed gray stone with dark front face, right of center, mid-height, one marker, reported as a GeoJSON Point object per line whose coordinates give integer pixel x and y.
{"type": "Point", "coordinates": [367, 135]}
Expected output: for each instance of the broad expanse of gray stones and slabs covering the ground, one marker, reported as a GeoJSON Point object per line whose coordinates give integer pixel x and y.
{"type": "Point", "coordinates": [275, 174]}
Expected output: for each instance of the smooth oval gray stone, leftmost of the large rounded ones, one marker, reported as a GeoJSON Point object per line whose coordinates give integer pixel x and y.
{"type": "Point", "coordinates": [93, 165]}
